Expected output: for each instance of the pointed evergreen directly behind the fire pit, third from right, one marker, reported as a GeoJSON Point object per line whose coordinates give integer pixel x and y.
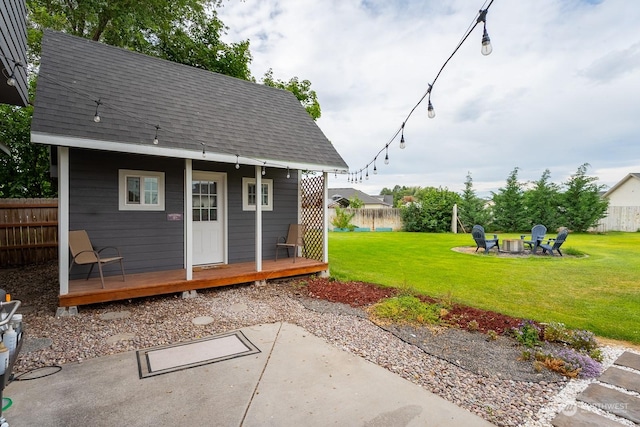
{"type": "Point", "coordinates": [509, 209]}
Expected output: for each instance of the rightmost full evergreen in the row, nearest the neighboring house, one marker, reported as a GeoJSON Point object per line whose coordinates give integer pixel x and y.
{"type": "Point", "coordinates": [582, 203]}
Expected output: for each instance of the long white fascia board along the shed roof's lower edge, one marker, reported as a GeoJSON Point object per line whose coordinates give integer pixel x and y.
{"type": "Point", "coordinates": [159, 150]}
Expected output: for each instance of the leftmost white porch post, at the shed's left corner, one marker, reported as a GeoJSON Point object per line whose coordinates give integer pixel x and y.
{"type": "Point", "coordinates": [63, 219]}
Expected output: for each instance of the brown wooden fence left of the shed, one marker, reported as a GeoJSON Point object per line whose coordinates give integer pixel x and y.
{"type": "Point", "coordinates": [28, 231]}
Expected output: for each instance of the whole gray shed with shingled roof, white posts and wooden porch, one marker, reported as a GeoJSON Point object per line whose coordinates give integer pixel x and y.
{"type": "Point", "coordinates": [184, 168]}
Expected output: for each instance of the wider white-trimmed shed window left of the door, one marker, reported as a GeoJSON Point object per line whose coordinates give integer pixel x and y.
{"type": "Point", "coordinates": [140, 190]}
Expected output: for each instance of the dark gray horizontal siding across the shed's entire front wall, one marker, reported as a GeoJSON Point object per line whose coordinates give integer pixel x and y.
{"type": "Point", "coordinates": [147, 239]}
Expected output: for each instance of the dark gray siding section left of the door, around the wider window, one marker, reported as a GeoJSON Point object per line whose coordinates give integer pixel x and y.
{"type": "Point", "coordinates": [147, 240]}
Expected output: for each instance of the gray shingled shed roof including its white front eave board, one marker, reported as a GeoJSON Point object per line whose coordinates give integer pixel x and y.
{"type": "Point", "coordinates": [194, 109]}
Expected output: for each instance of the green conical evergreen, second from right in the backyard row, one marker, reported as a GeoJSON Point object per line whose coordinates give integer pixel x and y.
{"type": "Point", "coordinates": [543, 202]}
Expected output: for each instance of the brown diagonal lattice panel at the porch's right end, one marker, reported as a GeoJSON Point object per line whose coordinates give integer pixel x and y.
{"type": "Point", "coordinates": [312, 190]}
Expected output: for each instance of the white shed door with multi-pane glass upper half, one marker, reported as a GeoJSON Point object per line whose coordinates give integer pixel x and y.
{"type": "Point", "coordinates": [208, 217]}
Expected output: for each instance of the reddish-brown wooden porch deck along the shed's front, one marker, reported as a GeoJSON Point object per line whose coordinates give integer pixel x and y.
{"type": "Point", "coordinates": [82, 292]}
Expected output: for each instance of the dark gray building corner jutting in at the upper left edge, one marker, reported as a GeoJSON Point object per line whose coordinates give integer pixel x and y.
{"type": "Point", "coordinates": [13, 53]}
